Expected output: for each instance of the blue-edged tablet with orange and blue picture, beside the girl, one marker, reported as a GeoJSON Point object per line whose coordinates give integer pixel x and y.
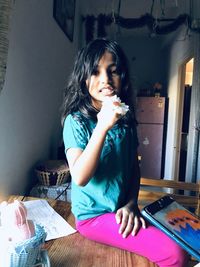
{"type": "Point", "coordinates": [177, 222]}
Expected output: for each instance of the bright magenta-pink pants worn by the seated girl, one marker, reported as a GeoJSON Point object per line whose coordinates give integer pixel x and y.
{"type": "Point", "coordinates": [150, 242]}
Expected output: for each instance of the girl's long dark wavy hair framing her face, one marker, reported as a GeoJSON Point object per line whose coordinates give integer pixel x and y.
{"type": "Point", "coordinates": [76, 95]}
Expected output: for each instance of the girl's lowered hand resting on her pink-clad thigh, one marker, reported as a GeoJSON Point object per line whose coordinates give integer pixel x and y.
{"type": "Point", "coordinates": [130, 220]}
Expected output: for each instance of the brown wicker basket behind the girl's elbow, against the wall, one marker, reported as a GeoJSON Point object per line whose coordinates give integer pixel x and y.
{"type": "Point", "coordinates": [52, 172]}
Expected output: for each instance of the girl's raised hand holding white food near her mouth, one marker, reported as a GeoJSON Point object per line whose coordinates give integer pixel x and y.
{"type": "Point", "coordinates": [108, 116]}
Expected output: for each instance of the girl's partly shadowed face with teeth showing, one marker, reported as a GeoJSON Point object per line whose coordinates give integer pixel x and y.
{"type": "Point", "coordinates": [104, 81]}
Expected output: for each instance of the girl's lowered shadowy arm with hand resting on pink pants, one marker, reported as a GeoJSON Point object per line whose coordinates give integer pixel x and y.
{"type": "Point", "coordinates": [129, 216]}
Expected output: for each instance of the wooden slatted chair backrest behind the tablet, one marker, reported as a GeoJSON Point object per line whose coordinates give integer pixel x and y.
{"type": "Point", "coordinates": [187, 194]}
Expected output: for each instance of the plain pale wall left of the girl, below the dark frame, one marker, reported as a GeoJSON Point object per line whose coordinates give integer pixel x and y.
{"type": "Point", "coordinates": [39, 60]}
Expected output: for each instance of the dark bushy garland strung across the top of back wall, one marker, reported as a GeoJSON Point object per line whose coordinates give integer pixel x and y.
{"type": "Point", "coordinates": [131, 23]}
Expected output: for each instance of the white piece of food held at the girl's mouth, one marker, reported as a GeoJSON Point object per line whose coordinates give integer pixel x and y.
{"type": "Point", "coordinates": [118, 106]}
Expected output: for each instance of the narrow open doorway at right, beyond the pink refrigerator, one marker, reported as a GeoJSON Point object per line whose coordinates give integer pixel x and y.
{"type": "Point", "coordinates": [184, 118]}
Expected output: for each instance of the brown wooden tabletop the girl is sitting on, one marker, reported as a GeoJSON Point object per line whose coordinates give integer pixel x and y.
{"type": "Point", "coordinates": [76, 251]}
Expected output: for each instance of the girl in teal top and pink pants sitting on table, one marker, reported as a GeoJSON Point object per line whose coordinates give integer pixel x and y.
{"type": "Point", "coordinates": [101, 149]}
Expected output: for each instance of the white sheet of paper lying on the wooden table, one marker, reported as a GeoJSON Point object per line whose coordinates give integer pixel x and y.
{"type": "Point", "coordinates": [42, 213]}
